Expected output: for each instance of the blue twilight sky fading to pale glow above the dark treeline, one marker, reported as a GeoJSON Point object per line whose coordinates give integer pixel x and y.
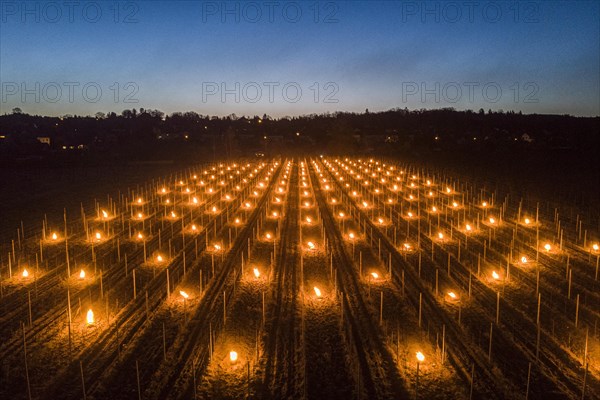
{"type": "Point", "coordinates": [292, 58]}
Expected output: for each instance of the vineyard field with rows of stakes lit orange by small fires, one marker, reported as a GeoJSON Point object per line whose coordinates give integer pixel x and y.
{"type": "Point", "coordinates": [297, 278]}
